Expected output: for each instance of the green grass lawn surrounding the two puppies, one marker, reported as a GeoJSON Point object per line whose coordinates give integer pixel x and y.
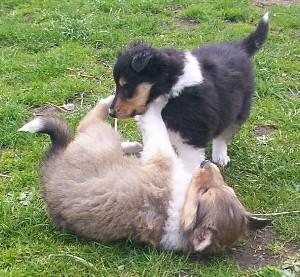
{"type": "Point", "coordinates": [55, 52]}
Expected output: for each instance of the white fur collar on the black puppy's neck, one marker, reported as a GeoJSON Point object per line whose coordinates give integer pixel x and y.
{"type": "Point", "coordinates": [191, 75]}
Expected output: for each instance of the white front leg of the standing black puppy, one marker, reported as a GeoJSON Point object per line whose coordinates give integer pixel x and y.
{"type": "Point", "coordinates": [190, 156]}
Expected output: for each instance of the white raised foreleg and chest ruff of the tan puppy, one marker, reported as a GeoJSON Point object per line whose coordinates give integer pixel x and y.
{"type": "Point", "coordinates": [156, 141]}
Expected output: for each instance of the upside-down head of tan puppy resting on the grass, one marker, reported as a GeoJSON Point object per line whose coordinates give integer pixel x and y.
{"type": "Point", "coordinates": [212, 217]}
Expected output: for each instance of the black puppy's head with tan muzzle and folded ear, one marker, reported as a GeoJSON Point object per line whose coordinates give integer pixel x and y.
{"type": "Point", "coordinates": [141, 74]}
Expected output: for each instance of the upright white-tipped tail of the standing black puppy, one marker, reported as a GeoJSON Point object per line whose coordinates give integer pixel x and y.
{"type": "Point", "coordinates": [256, 39]}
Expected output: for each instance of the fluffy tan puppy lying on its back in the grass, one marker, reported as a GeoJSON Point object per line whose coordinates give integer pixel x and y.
{"type": "Point", "coordinates": [93, 190]}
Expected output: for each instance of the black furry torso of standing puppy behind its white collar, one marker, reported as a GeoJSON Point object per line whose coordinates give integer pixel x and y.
{"type": "Point", "coordinates": [201, 112]}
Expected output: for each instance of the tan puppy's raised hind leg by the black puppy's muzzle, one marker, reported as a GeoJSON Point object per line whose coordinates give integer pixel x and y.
{"type": "Point", "coordinates": [97, 114]}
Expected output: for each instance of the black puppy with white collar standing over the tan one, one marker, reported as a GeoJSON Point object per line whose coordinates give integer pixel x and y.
{"type": "Point", "coordinates": [210, 91]}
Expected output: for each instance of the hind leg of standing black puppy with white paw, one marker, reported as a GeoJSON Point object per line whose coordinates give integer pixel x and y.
{"type": "Point", "coordinates": [220, 144]}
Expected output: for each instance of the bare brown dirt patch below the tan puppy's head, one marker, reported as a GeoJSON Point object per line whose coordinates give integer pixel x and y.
{"type": "Point", "coordinates": [255, 253]}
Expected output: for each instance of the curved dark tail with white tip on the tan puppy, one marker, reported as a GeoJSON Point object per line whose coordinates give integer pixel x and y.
{"type": "Point", "coordinates": [57, 129]}
